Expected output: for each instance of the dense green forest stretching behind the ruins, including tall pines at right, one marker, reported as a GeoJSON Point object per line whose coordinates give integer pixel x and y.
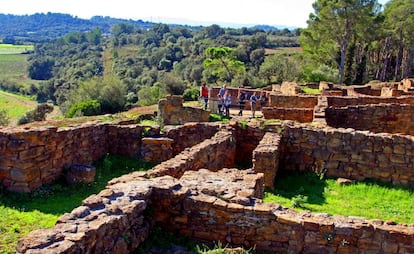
{"type": "Point", "coordinates": [99, 70]}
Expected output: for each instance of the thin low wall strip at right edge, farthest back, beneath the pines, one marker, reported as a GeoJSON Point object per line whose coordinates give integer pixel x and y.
{"type": "Point", "coordinates": [338, 101]}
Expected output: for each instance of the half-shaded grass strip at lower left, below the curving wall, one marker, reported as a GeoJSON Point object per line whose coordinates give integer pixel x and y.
{"type": "Point", "coordinates": [21, 213]}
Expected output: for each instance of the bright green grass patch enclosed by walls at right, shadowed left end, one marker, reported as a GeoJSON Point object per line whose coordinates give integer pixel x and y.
{"type": "Point", "coordinates": [371, 200]}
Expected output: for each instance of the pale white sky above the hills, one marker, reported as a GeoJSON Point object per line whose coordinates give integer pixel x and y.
{"type": "Point", "coordinates": [227, 13]}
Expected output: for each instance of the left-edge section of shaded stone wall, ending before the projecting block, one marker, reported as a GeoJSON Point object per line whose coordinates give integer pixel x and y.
{"type": "Point", "coordinates": [30, 158]}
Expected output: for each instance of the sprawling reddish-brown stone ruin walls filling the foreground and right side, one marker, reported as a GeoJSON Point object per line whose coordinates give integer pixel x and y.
{"type": "Point", "coordinates": [196, 190]}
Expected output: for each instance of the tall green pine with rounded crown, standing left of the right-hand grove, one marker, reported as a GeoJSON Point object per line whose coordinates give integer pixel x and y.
{"type": "Point", "coordinates": [333, 25]}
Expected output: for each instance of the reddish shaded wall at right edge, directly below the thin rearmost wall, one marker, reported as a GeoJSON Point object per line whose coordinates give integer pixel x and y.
{"type": "Point", "coordinates": [390, 118]}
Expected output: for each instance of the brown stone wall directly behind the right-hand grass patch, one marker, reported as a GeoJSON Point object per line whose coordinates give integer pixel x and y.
{"type": "Point", "coordinates": [348, 153]}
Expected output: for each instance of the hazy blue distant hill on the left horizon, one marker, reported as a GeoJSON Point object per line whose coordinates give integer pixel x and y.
{"type": "Point", "coordinates": [45, 27]}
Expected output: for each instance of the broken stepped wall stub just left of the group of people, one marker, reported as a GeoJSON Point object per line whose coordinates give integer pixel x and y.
{"type": "Point", "coordinates": [171, 111]}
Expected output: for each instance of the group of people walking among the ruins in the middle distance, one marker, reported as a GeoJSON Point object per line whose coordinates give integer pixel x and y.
{"type": "Point", "coordinates": [224, 100]}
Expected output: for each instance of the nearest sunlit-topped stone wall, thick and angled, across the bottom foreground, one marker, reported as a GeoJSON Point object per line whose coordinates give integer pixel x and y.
{"type": "Point", "coordinates": [209, 206]}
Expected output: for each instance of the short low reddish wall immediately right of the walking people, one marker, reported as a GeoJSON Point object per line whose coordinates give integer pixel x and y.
{"type": "Point", "coordinates": [292, 101]}
